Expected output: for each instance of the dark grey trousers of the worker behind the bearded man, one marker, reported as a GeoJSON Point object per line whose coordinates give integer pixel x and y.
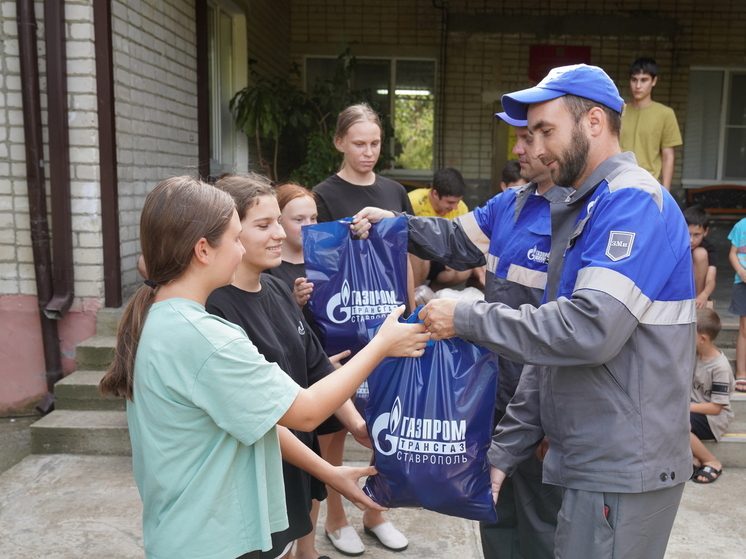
{"type": "Point", "coordinates": [526, 516]}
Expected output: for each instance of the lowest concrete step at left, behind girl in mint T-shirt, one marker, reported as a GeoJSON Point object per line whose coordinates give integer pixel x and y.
{"type": "Point", "coordinates": [81, 432]}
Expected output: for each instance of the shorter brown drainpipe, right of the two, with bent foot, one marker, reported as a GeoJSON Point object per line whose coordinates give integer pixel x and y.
{"type": "Point", "coordinates": [59, 161]}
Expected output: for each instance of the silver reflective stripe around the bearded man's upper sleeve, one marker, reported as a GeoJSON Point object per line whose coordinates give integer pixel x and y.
{"type": "Point", "coordinates": [624, 290]}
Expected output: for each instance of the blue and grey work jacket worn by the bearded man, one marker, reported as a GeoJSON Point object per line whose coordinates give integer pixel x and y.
{"type": "Point", "coordinates": [613, 355]}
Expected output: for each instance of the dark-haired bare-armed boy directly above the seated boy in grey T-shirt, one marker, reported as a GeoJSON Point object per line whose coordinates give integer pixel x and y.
{"type": "Point", "coordinates": [703, 255]}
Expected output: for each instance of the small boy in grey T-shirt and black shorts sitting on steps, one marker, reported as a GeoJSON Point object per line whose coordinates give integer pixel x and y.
{"type": "Point", "coordinates": [710, 411]}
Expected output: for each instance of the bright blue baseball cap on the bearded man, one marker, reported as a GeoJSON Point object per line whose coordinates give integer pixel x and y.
{"type": "Point", "coordinates": [590, 82]}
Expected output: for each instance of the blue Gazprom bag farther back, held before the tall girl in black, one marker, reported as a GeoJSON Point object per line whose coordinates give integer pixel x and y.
{"type": "Point", "coordinates": [357, 283]}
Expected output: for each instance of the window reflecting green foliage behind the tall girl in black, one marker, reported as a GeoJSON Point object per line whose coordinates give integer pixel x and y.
{"type": "Point", "coordinates": [404, 92]}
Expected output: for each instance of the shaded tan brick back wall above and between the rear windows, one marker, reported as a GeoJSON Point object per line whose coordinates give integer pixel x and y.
{"type": "Point", "coordinates": [486, 57]}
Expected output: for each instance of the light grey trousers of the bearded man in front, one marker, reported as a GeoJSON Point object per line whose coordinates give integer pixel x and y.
{"type": "Point", "coordinates": [593, 525]}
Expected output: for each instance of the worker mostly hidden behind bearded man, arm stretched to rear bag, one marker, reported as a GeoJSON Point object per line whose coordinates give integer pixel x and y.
{"type": "Point", "coordinates": [512, 232]}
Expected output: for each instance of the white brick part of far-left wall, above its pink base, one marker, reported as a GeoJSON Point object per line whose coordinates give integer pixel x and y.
{"type": "Point", "coordinates": [16, 262]}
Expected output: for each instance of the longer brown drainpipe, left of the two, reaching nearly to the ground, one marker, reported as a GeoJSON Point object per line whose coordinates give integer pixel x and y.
{"type": "Point", "coordinates": [36, 192]}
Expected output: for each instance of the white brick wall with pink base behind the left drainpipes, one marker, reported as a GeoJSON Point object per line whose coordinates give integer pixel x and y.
{"type": "Point", "coordinates": [22, 367]}
